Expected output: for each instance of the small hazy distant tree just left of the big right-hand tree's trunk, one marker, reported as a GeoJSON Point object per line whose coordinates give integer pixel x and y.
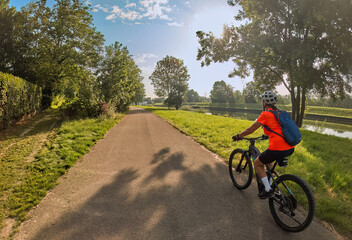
{"type": "Point", "coordinates": [221, 93]}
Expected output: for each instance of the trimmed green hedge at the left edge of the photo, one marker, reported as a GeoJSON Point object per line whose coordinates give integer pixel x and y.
{"type": "Point", "coordinates": [18, 98]}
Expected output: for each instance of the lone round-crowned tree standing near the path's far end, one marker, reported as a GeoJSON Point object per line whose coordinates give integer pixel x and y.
{"type": "Point", "coordinates": [170, 79]}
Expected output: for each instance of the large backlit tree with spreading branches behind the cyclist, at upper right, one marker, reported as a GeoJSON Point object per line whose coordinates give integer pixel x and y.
{"type": "Point", "coordinates": [305, 45]}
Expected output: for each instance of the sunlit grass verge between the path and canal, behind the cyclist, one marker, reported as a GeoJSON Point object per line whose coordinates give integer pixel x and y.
{"type": "Point", "coordinates": [322, 161]}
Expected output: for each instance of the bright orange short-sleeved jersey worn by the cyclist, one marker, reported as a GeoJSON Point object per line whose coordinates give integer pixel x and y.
{"type": "Point", "coordinates": [277, 143]}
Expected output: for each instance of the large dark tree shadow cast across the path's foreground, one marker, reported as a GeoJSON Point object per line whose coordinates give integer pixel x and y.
{"type": "Point", "coordinates": [173, 201]}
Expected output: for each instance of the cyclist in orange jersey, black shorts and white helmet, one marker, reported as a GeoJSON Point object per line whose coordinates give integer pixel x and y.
{"type": "Point", "coordinates": [278, 148]}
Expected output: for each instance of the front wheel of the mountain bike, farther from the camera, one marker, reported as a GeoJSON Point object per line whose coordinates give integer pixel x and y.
{"type": "Point", "coordinates": [241, 169]}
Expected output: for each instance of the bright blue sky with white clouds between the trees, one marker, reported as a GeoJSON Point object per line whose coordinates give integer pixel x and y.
{"type": "Point", "coordinates": [153, 29]}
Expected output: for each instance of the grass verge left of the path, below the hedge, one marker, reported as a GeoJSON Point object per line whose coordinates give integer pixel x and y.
{"type": "Point", "coordinates": [32, 164]}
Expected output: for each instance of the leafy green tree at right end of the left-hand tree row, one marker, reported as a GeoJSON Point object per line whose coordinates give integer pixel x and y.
{"type": "Point", "coordinates": [118, 76]}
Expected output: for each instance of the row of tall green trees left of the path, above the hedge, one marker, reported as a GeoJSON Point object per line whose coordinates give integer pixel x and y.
{"type": "Point", "coordinates": [60, 50]}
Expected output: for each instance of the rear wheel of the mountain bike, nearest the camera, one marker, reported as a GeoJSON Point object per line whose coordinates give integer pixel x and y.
{"type": "Point", "coordinates": [290, 206]}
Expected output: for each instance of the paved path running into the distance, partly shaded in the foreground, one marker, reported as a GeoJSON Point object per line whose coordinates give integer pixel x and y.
{"type": "Point", "coordinates": [146, 180]}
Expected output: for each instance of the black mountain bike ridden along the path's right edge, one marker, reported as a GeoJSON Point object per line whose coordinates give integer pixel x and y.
{"type": "Point", "coordinates": [293, 204]}
